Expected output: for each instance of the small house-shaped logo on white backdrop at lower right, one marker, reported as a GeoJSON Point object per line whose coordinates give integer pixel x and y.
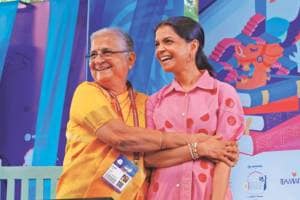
{"type": "Point", "coordinates": [256, 183]}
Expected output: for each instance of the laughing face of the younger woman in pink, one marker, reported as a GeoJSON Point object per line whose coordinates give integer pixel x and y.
{"type": "Point", "coordinates": [172, 51]}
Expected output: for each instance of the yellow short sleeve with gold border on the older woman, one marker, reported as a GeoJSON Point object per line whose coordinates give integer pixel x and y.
{"type": "Point", "coordinates": [89, 107]}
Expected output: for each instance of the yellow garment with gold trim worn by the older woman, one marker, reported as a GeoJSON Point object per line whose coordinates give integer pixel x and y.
{"type": "Point", "coordinates": [87, 158]}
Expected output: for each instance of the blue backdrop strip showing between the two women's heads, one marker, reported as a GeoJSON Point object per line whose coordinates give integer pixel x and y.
{"type": "Point", "coordinates": [147, 75]}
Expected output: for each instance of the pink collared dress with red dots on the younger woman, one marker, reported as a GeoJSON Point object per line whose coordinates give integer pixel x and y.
{"type": "Point", "coordinates": [210, 107]}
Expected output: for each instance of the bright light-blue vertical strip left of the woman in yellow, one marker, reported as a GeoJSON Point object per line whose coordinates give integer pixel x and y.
{"type": "Point", "coordinates": [63, 18]}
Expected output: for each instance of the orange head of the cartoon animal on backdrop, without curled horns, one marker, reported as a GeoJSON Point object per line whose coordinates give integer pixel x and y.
{"type": "Point", "coordinates": [256, 61]}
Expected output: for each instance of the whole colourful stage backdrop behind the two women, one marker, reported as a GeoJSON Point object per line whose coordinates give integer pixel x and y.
{"type": "Point", "coordinates": [252, 44]}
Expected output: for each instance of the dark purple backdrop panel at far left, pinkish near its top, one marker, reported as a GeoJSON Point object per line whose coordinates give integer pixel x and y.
{"type": "Point", "coordinates": [20, 85]}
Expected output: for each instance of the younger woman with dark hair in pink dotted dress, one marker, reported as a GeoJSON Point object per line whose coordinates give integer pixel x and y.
{"type": "Point", "coordinates": [194, 102]}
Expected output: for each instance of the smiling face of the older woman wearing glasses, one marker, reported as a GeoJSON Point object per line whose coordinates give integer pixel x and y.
{"type": "Point", "coordinates": [112, 68]}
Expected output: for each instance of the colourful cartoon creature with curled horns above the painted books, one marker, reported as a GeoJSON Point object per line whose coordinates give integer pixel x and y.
{"type": "Point", "coordinates": [257, 61]}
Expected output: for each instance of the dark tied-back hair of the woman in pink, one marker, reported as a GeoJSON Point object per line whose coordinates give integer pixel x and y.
{"type": "Point", "coordinates": [188, 29]}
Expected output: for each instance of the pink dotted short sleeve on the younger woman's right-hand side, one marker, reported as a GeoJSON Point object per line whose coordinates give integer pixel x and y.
{"type": "Point", "coordinates": [231, 122]}
